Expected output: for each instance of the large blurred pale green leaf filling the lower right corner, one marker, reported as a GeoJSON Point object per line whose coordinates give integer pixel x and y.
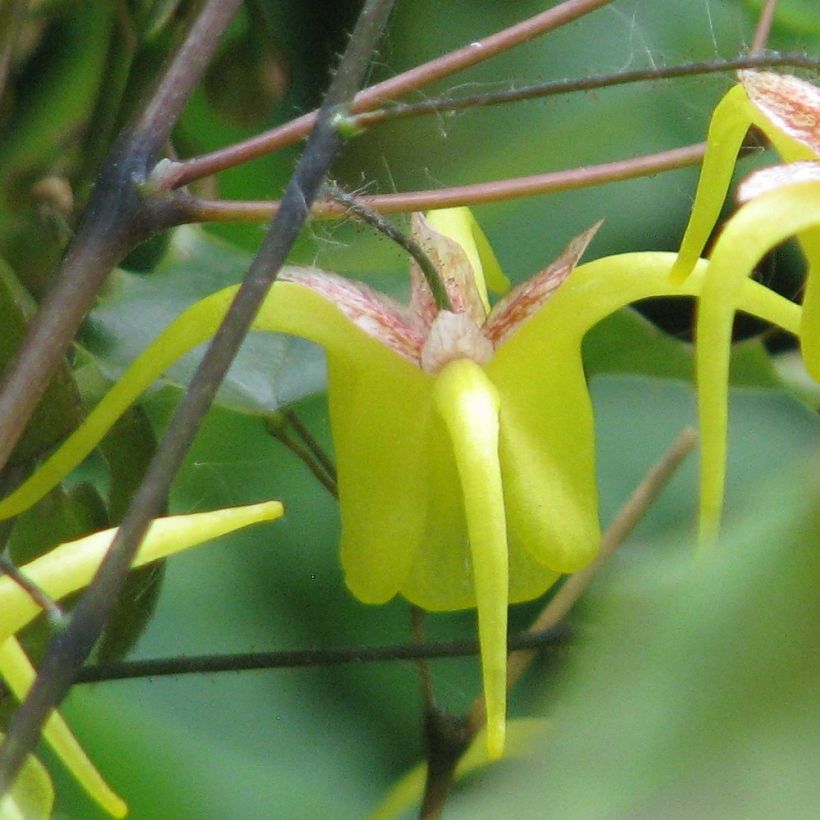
{"type": "Point", "coordinates": [697, 693]}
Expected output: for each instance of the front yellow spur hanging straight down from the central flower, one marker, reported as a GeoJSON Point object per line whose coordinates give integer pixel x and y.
{"type": "Point", "coordinates": [468, 403]}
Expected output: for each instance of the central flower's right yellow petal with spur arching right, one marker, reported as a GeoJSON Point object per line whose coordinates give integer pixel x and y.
{"type": "Point", "coordinates": [547, 440]}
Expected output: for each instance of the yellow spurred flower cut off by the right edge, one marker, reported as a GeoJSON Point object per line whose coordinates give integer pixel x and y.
{"type": "Point", "coordinates": [776, 203]}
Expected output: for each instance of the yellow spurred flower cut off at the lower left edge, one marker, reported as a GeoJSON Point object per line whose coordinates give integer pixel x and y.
{"type": "Point", "coordinates": [70, 567]}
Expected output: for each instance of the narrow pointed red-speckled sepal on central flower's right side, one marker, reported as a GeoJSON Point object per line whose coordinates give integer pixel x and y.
{"type": "Point", "coordinates": [521, 302]}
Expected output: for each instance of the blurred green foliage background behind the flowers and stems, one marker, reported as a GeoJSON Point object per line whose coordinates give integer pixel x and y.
{"type": "Point", "coordinates": [683, 680]}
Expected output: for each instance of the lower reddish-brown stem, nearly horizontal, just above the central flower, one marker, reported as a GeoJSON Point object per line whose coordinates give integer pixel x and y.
{"type": "Point", "coordinates": [201, 210]}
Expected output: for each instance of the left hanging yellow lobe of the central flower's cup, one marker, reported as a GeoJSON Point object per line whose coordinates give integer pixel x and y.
{"type": "Point", "coordinates": [380, 416]}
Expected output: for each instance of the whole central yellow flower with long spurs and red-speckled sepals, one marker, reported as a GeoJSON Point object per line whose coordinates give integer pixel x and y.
{"type": "Point", "coordinates": [463, 435]}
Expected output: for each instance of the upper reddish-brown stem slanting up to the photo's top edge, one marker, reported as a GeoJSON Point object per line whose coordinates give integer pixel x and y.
{"type": "Point", "coordinates": [174, 175]}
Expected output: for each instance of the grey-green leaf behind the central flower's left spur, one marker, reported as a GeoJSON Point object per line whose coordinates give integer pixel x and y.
{"type": "Point", "coordinates": [271, 370]}
